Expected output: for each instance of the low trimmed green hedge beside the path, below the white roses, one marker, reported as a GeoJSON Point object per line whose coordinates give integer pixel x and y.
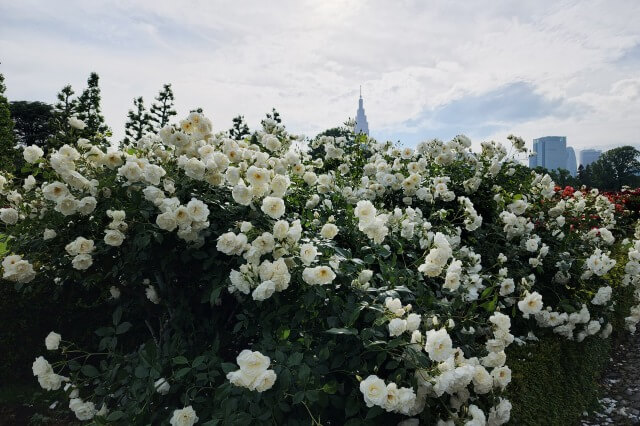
{"type": "Point", "coordinates": [555, 380]}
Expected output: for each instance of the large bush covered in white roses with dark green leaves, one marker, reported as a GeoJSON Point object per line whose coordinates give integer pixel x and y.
{"type": "Point", "coordinates": [259, 281]}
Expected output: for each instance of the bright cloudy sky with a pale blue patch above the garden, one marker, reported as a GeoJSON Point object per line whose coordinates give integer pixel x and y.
{"type": "Point", "coordinates": [427, 69]}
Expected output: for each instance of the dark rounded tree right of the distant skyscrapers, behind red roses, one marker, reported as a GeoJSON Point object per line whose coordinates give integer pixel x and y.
{"type": "Point", "coordinates": [615, 168]}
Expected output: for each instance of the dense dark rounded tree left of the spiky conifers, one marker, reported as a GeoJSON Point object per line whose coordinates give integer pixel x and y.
{"type": "Point", "coordinates": [32, 122]}
